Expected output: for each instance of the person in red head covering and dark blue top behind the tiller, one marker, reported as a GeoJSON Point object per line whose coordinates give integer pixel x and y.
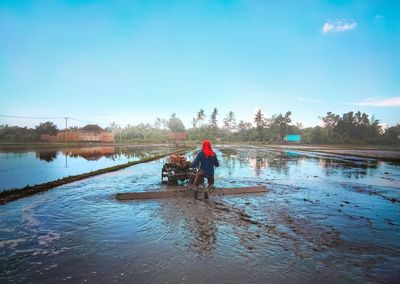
{"type": "Point", "coordinates": [207, 160]}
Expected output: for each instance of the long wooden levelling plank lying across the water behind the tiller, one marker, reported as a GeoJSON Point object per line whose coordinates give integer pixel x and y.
{"type": "Point", "coordinates": [176, 191]}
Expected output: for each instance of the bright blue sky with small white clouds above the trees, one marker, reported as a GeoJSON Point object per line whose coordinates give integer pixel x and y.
{"type": "Point", "coordinates": [134, 61]}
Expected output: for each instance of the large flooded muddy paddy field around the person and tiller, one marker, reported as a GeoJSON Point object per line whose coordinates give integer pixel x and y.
{"type": "Point", "coordinates": [330, 219]}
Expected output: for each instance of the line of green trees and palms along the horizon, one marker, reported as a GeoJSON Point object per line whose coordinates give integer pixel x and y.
{"type": "Point", "coordinates": [348, 128]}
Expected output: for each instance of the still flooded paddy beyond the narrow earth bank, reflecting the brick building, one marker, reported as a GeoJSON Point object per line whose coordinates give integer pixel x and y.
{"type": "Point", "coordinates": [21, 168]}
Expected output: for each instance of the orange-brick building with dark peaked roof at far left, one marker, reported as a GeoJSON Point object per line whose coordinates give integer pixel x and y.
{"type": "Point", "coordinates": [89, 133]}
